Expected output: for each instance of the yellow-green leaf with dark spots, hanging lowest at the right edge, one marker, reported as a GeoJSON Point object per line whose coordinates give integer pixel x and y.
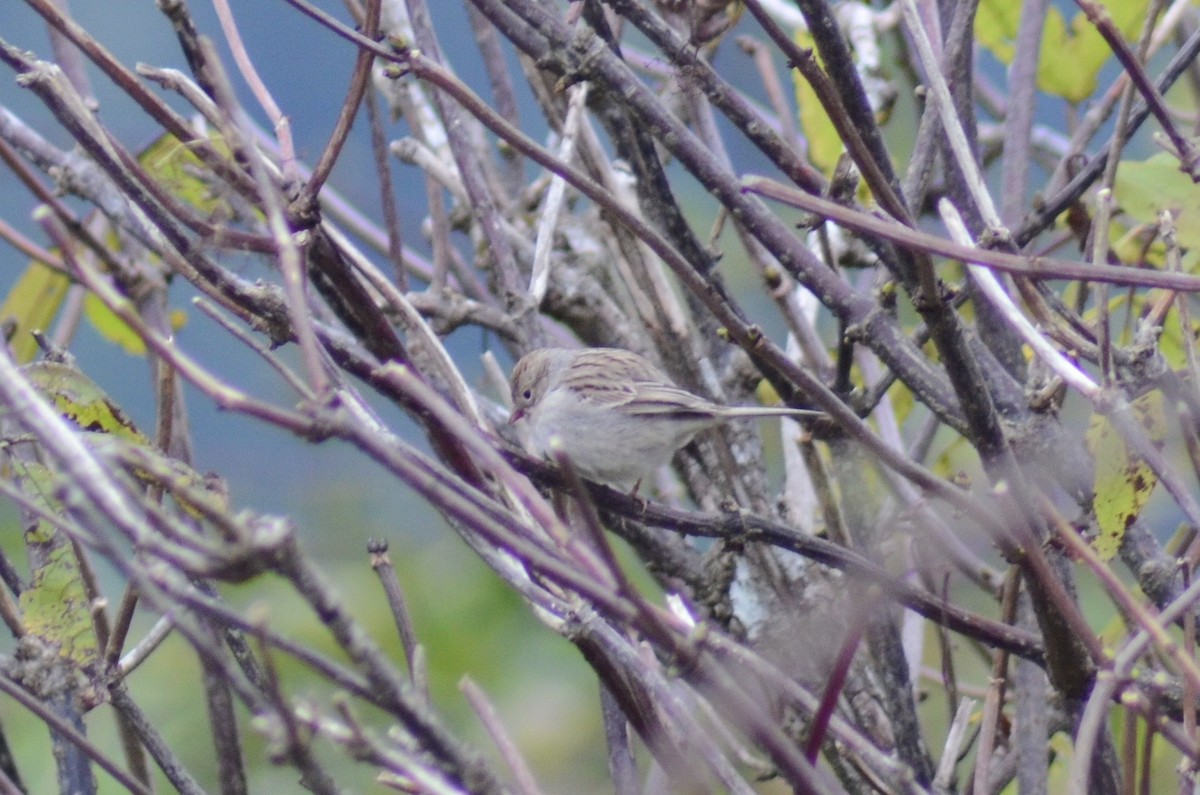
{"type": "Point", "coordinates": [1124, 481]}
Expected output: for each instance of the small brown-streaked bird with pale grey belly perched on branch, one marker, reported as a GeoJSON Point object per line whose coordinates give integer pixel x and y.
{"type": "Point", "coordinates": [611, 413]}
